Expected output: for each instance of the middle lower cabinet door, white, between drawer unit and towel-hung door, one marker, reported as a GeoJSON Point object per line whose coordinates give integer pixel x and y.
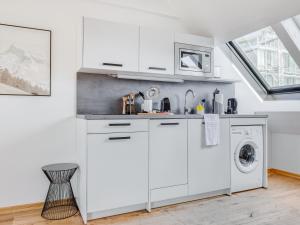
{"type": "Point", "coordinates": [168, 153]}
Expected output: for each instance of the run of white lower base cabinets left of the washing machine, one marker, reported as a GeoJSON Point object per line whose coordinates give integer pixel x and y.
{"type": "Point", "coordinates": [139, 164]}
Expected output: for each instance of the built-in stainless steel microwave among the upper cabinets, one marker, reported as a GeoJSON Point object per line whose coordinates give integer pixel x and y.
{"type": "Point", "coordinates": [193, 60]}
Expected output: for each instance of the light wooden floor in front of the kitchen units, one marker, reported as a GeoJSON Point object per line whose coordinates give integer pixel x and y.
{"type": "Point", "coordinates": [278, 205]}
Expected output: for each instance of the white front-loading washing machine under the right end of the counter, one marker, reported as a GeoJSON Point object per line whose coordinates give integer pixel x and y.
{"type": "Point", "coordinates": [246, 158]}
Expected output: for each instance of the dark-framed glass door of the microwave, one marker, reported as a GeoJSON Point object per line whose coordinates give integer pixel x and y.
{"type": "Point", "coordinates": [190, 61]}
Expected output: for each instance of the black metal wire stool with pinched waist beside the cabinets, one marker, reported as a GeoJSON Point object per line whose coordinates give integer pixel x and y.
{"type": "Point", "coordinates": [60, 202]}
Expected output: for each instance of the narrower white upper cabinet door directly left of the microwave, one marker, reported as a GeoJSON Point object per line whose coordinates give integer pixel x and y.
{"type": "Point", "coordinates": [156, 51]}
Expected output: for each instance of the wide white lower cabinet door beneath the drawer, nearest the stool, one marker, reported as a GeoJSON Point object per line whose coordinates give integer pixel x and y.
{"type": "Point", "coordinates": [117, 170]}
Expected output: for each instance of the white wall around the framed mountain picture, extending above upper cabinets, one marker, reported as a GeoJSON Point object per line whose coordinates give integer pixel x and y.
{"type": "Point", "coordinates": [36, 131]}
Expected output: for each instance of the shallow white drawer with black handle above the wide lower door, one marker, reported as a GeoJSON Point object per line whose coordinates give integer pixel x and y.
{"type": "Point", "coordinates": [116, 126]}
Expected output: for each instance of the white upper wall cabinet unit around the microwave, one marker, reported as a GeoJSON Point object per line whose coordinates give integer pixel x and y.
{"type": "Point", "coordinates": [136, 52]}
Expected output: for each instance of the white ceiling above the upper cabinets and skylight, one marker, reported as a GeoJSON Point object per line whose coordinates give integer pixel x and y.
{"type": "Point", "coordinates": [223, 19]}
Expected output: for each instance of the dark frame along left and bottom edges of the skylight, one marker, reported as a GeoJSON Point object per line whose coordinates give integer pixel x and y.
{"type": "Point", "coordinates": [255, 74]}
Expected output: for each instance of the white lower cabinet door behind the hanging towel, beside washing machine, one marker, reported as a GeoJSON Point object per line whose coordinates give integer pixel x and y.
{"type": "Point", "coordinates": [209, 166]}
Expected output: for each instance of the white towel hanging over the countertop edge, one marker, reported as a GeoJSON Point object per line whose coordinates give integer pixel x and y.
{"type": "Point", "coordinates": [212, 129]}
